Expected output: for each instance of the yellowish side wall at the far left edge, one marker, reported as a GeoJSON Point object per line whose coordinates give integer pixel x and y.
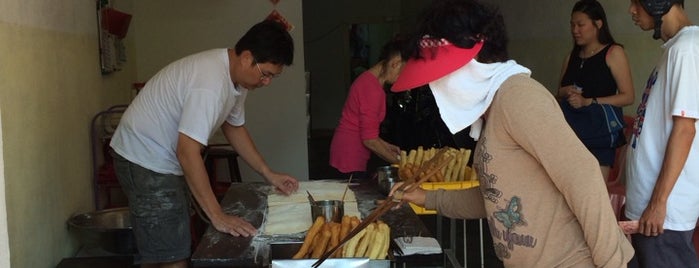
{"type": "Point", "coordinates": [50, 87]}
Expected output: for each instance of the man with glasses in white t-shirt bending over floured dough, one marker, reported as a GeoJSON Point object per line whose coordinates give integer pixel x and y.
{"type": "Point", "coordinates": [157, 146]}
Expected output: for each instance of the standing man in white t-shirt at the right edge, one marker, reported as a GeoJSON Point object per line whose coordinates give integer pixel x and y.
{"type": "Point", "coordinates": [662, 171]}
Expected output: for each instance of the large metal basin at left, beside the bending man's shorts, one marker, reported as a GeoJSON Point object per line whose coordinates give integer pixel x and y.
{"type": "Point", "coordinates": [108, 229]}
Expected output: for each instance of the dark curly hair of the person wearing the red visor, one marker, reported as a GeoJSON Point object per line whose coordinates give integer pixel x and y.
{"type": "Point", "coordinates": [463, 23]}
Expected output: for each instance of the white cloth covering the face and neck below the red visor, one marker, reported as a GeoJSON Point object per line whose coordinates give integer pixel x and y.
{"type": "Point", "coordinates": [464, 95]}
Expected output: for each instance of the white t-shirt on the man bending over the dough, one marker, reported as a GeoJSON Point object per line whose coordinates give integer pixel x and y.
{"type": "Point", "coordinates": [192, 96]}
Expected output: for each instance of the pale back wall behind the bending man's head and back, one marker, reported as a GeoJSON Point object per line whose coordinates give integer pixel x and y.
{"type": "Point", "coordinates": [166, 30]}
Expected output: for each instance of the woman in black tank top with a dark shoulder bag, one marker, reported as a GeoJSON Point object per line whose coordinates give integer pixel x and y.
{"type": "Point", "coordinates": [595, 81]}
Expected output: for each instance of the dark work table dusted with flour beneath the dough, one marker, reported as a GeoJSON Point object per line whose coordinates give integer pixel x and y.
{"type": "Point", "coordinates": [249, 201]}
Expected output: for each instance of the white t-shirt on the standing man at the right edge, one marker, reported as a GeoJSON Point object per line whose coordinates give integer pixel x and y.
{"type": "Point", "coordinates": [671, 90]}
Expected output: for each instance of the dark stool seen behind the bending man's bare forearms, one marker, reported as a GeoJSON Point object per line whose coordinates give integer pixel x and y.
{"type": "Point", "coordinates": [213, 156]}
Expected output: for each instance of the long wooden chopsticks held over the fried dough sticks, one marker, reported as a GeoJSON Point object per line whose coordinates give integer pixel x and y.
{"type": "Point", "coordinates": [394, 200]}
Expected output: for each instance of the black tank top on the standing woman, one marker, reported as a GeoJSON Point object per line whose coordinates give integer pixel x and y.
{"type": "Point", "coordinates": [591, 74]}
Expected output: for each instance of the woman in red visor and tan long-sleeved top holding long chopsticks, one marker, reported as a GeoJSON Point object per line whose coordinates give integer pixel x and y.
{"type": "Point", "coordinates": [541, 190]}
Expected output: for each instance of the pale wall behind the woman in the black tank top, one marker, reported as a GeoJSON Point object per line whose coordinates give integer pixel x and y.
{"type": "Point", "coordinates": [540, 38]}
